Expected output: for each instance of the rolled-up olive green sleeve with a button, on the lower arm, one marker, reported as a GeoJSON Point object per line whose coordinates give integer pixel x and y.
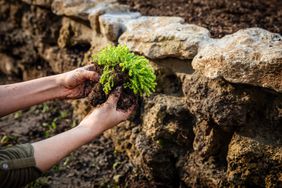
{"type": "Point", "coordinates": [17, 166]}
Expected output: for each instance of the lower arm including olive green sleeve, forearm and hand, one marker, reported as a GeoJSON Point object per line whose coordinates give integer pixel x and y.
{"type": "Point", "coordinates": [44, 154]}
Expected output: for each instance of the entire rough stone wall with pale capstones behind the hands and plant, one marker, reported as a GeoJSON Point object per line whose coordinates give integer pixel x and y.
{"type": "Point", "coordinates": [216, 118]}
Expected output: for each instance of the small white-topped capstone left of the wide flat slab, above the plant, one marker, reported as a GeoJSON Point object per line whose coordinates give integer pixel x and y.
{"type": "Point", "coordinates": [113, 25]}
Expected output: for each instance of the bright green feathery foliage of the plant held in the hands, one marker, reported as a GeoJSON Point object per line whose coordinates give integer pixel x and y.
{"type": "Point", "coordinates": [142, 79]}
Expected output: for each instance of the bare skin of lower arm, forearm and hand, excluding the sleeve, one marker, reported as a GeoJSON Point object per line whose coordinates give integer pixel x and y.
{"type": "Point", "coordinates": [59, 146]}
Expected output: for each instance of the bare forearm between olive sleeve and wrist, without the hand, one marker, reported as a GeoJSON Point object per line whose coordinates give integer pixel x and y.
{"type": "Point", "coordinates": [50, 151]}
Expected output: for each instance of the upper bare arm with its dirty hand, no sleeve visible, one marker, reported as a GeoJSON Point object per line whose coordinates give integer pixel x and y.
{"type": "Point", "coordinates": [67, 85]}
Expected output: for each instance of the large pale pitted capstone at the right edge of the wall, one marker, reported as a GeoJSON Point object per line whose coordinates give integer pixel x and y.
{"type": "Point", "coordinates": [251, 56]}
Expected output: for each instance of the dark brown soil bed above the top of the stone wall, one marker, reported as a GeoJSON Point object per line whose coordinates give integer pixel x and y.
{"type": "Point", "coordinates": [221, 17]}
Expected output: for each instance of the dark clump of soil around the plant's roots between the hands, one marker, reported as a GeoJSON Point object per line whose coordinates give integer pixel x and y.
{"type": "Point", "coordinates": [127, 97]}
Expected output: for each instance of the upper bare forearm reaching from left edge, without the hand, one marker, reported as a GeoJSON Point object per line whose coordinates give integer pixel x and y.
{"type": "Point", "coordinates": [18, 96]}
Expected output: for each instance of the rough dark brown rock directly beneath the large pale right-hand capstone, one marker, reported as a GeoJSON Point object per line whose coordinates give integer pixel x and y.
{"type": "Point", "coordinates": [218, 101]}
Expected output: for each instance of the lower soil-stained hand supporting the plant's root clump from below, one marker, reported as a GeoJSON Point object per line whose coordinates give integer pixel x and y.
{"type": "Point", "coordinates": [107, 115]}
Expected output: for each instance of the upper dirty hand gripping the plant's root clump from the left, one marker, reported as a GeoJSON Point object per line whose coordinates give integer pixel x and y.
{"type": "Point", "coordinates": [76, 82]}
